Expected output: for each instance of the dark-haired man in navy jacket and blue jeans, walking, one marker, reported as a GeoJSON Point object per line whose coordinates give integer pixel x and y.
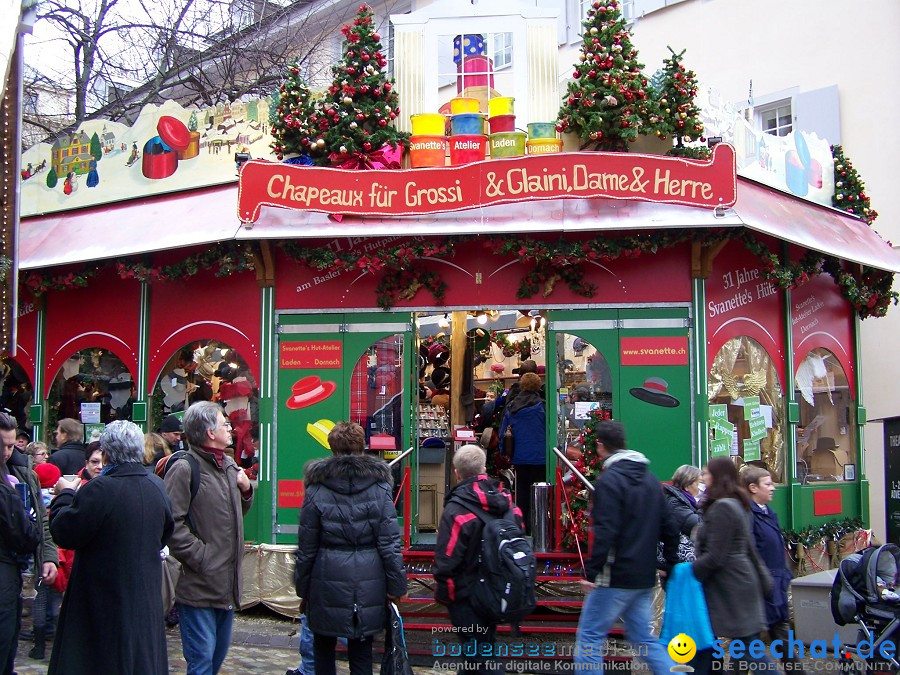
{"type": "Point", "coordinates": [629, 516]}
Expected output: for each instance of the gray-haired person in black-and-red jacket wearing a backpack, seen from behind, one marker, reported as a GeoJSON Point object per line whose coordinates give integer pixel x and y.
{"type": "Point", "coordinates": [456, 553]}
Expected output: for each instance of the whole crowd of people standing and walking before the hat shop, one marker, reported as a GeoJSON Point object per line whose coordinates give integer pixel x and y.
{"type": "Point", "coordinates": [100, 511]}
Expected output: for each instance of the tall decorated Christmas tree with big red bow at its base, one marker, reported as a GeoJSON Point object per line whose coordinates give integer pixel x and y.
{"type": "Point", "coordinates": [362, 102]}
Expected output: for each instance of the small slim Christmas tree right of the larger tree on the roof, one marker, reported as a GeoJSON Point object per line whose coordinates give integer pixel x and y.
{"type": "Point", "coordinates": [680, 115]}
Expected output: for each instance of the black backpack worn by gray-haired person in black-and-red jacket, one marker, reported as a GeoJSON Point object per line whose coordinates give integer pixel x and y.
{"type": "Point", "coordinates": [503, 591]}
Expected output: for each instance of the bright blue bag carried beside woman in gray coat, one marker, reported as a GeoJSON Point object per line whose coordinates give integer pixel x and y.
{"type": "Point", "coordinates": [686, 610]}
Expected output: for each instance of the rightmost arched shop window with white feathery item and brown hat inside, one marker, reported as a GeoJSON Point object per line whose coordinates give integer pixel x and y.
{"type": "Point", "coordinates": [826, 431]}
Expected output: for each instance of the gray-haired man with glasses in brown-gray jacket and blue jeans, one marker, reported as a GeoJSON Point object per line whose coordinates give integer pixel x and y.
{"type": "Point", "coordinates": [208, 538]}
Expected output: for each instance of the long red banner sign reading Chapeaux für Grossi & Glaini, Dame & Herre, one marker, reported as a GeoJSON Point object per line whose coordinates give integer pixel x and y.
{"type": "Point", "coordinates": [569, 175]}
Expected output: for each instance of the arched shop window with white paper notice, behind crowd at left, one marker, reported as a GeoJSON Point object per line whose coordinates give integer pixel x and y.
{"type": "Point", "coordinates": [93, 386]}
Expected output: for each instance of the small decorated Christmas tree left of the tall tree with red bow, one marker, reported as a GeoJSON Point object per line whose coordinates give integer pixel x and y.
{"type": "Point", "coordinates": [297, 125]}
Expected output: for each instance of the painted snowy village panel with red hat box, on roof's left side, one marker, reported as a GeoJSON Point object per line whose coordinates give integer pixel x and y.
{"type": "Point", "coordinates": [167, 149]}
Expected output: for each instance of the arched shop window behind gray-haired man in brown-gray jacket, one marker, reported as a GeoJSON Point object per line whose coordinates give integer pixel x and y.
{"type": "Point", "coordinates": [209, 370]}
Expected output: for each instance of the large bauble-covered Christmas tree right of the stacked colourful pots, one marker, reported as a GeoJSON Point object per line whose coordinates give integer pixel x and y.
{"type": "Point", "coordinates": [608, 103]}
